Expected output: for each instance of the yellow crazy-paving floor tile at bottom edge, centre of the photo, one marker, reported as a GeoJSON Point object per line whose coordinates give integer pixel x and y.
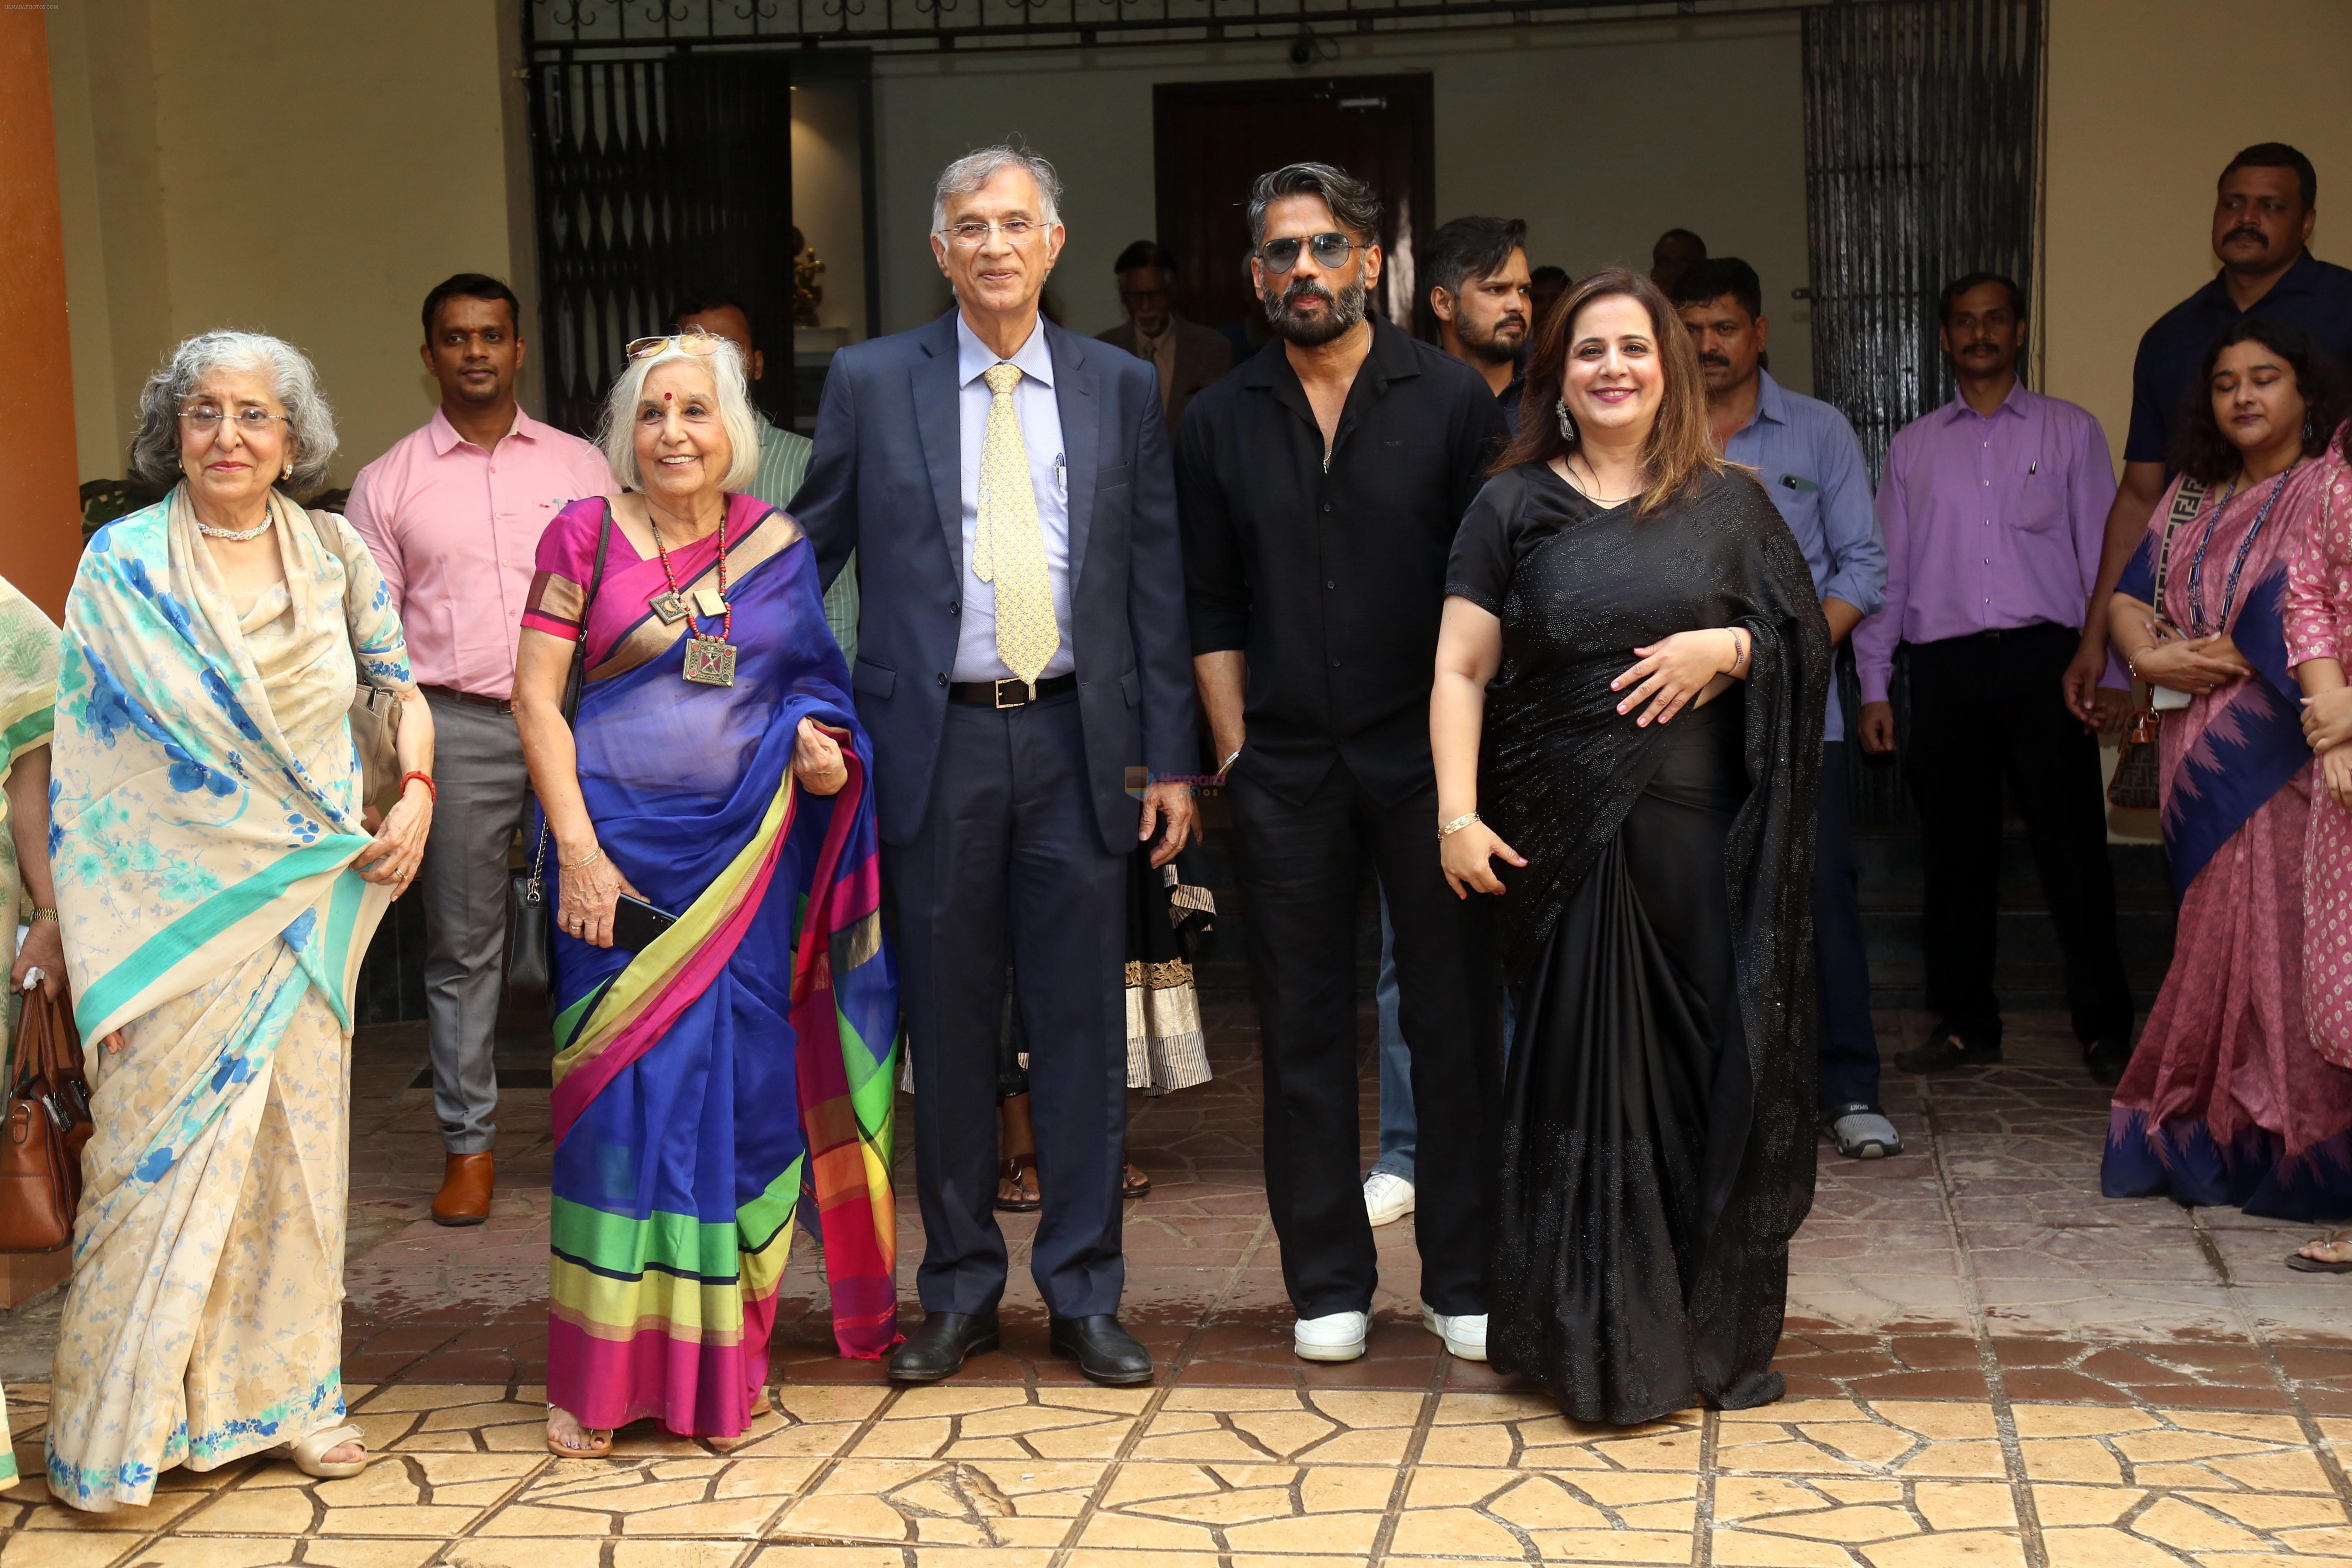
{"type": "Point", "coordinates": [1243, 1508]}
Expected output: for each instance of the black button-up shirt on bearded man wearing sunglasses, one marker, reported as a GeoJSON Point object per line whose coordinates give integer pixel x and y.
{"type": "Point", "coordinates": [1332, 577]}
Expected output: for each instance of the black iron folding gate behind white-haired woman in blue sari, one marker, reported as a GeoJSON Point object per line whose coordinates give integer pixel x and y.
{"type": "Point", "coordinates": [660, 177]}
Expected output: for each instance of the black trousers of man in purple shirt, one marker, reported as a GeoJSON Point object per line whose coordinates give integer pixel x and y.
{"type": "Point", "coordinates": [1991, 709]}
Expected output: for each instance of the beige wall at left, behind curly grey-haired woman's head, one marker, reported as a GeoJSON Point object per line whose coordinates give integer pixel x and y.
{"type": "Point", "coordinates": [309, 170]}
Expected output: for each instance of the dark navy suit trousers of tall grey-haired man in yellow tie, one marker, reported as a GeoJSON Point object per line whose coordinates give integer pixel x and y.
{"type": "Point", "coordinates": [1010, 869]}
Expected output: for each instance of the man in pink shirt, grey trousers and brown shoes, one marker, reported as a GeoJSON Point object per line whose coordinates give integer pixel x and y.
{"type": "Point", "coordinates": [453, 516]}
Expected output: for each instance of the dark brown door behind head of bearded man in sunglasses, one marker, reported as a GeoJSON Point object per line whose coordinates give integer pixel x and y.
{"type": "Point", "coordinates": [1212, 140]}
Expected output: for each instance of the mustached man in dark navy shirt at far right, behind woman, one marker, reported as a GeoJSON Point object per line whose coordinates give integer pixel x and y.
{"type": "Point", "coordinates": [2264, 217]}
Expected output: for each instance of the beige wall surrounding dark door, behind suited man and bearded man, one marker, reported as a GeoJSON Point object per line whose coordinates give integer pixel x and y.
{"type": "Point", "coordinates": [1561, 126]}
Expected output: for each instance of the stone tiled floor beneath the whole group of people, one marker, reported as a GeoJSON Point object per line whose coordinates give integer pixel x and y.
{"type": "Point", "coordinates": [1989, 1365]}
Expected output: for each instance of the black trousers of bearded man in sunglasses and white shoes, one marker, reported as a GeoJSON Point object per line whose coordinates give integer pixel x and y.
{"type": "Point", "coordinates": [1304, 866]}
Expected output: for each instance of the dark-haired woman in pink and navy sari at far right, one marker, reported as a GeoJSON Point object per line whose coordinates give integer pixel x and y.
{"type": "Point", "coordinates": [2226, 1099]}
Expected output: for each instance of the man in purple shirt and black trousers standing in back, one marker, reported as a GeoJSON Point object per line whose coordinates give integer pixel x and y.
{"type": "Point", "coordinates": [1993, 511]}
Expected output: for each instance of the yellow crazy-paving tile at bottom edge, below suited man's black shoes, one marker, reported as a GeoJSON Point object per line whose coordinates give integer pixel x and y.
{"type": "Point", "coordinates": [944, 1503]}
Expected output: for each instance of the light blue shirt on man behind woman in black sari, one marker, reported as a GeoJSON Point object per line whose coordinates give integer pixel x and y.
{"type": "Point", "coordinates": [1810, 464]}
